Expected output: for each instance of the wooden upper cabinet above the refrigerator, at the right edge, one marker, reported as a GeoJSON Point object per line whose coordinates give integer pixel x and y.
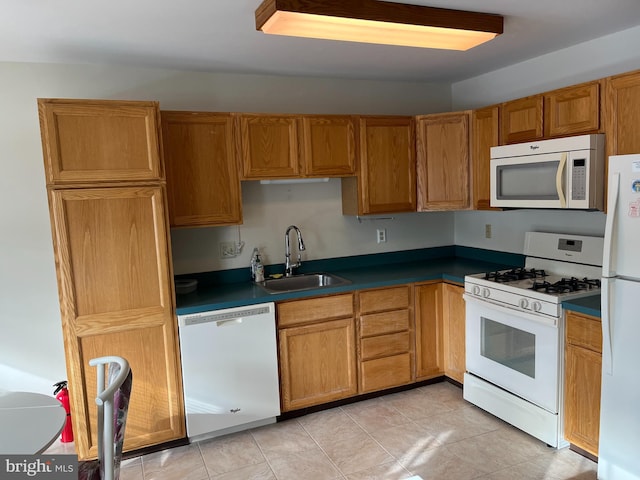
{"type": "Point", "coordinates": [622, 113]}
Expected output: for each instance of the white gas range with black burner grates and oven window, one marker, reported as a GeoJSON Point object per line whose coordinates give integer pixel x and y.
{"type": "Point", "coordinates": [515, 330]}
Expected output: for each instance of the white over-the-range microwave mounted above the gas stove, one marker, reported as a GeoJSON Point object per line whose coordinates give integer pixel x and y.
{"type": "Point", "coordinates": [558, 173]}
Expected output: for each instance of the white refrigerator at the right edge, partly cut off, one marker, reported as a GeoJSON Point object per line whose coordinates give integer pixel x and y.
{"type": "Point", "coordinates": [619, 447]}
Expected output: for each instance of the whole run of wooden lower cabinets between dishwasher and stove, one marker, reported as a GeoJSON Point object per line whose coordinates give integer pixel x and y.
{"type": "Point", "coordinates": [338, 346]}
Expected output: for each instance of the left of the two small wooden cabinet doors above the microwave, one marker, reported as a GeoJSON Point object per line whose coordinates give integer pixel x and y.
{"type": "Point", "coordinates": [521, 120]}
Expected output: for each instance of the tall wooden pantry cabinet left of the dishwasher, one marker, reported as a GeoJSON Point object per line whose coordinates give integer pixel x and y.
{"type": "Point", "coordinates": [107, 201]}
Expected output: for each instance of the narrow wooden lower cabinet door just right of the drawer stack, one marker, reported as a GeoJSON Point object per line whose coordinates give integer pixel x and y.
{"type": "Point", "coordinates": [429, 331]}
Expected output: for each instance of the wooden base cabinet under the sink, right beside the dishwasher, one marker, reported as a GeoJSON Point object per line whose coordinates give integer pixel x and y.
{"type": "Point", "coordinates": [317, 351]}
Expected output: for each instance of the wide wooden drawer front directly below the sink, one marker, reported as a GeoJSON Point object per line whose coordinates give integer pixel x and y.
{"type": "Point", "coordinates": [310, 310]}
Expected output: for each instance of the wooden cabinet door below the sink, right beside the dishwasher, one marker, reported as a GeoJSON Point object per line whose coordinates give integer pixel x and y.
{"type": "Point", "coordinates": [317, 363]}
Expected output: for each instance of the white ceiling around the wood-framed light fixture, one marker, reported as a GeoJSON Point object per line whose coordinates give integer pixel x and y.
{"type": "Point", "coordinates": [220, 35]}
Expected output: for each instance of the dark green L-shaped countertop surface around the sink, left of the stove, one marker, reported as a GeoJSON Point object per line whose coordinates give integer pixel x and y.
{"type": "Point", "coordinates": [447, 268]}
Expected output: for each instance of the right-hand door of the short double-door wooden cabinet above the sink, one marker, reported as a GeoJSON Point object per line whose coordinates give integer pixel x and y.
{"type": "Point", "coordinates": [329, 145]}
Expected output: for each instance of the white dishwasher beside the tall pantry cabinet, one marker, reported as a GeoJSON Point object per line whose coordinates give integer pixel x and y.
{"type": "Point", "coordinates": [229, 369]}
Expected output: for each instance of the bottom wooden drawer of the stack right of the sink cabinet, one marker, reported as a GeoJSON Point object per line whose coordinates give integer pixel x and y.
{"type": "Point", "coordinates": [385, 372]}
